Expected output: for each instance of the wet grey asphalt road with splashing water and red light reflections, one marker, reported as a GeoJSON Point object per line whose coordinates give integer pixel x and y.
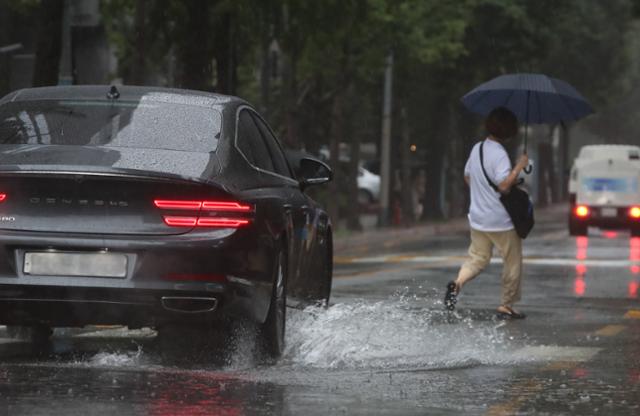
{"type": "Point", "coordinates": [385, 346]}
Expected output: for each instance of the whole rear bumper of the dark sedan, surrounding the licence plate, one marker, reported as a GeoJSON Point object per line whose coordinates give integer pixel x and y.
{"type": "Point", "coordinates": [187, 279]}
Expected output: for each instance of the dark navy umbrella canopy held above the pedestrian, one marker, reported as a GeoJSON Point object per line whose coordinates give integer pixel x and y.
{"type": "Point", "coordinates": [533, 98]}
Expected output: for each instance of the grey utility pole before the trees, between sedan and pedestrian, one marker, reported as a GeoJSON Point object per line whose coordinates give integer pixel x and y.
{"type": "Point", "coordinates": [385, 148]}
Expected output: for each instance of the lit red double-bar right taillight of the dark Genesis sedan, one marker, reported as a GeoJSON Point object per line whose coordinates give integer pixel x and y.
{"type": "Point", "coordinates": [206, 213]}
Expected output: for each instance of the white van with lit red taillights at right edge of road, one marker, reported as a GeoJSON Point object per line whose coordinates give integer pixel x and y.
{"type": "Point", "coordinates": [604, 189]}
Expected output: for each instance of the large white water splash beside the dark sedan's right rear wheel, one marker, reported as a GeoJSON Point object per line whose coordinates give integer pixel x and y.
{"type": "Point", "coordinates": [389, 334]}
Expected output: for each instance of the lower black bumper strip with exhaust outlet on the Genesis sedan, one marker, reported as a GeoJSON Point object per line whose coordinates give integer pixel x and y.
{"type": "Point", "coordinates": [56, 306]}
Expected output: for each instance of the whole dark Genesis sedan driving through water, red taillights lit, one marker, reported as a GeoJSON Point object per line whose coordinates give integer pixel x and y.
{"type": "Point", "coordinates": [153, 207]}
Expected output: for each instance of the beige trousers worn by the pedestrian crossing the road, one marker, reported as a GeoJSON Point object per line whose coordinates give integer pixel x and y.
{"type": "Point", "coordinates": [510, 247]}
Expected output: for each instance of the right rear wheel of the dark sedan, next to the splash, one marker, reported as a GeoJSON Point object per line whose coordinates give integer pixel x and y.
{"type": "Point", "coordinates": [271, 332]}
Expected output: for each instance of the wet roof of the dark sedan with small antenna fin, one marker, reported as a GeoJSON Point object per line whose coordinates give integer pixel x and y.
{"type": "Point", "coordinates": [127, 92]}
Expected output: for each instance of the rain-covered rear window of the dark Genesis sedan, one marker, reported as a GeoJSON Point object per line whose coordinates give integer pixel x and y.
{"type": "Point", "coordinates": [135, 124]}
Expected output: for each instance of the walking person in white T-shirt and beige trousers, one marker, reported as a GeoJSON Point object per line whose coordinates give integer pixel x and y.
{"type": "Point", "coordinates": [490, 223]}
